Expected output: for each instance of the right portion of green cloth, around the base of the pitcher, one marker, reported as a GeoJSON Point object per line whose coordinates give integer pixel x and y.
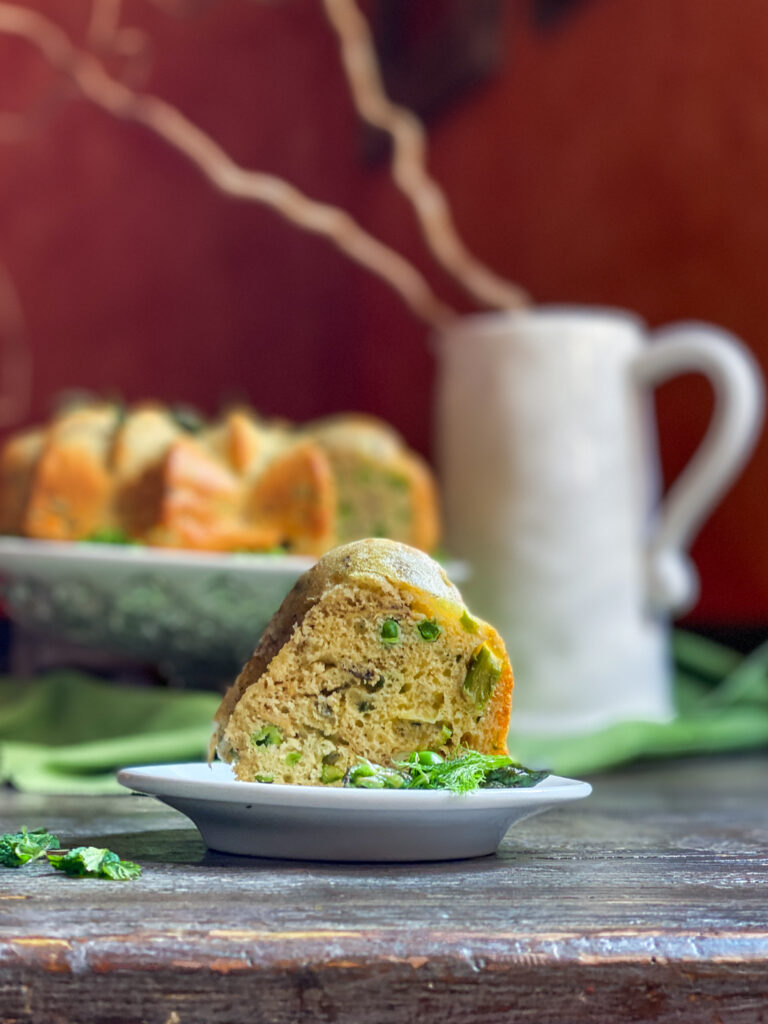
{"type": "Point", "coordinates": [722, 705]}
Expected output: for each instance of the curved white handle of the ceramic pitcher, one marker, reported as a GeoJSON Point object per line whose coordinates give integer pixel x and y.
{"type": "Point", "coordinates": [734, 373]}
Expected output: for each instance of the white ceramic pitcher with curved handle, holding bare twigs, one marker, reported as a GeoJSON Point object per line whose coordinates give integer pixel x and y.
{"type": "Point", "coordinates": [548, 460]}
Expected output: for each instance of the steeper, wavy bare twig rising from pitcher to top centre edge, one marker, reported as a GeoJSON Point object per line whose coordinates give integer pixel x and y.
{"type": "Point", "coordinates": [409, 160]}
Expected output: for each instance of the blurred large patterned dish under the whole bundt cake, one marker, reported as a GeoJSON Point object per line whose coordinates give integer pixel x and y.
{"type": "Point", "coordinates": [199, 615]}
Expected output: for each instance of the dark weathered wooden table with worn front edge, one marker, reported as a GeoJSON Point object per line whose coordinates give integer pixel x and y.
{"type": "Point", "coordinates": [647, 903]}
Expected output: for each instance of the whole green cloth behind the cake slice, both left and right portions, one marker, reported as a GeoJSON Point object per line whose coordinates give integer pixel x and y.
{"type": "Point", "coordinates": [68, 733]}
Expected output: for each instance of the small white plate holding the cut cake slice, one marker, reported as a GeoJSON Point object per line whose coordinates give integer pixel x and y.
{"type": "Point", "coordinates": [332, 824]}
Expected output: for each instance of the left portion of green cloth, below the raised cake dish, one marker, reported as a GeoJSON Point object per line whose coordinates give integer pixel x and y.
{"type": "Point", "coordinates": [69, 733]}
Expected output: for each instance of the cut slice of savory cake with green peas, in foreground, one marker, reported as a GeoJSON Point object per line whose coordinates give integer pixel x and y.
{"type": "Point", "coordinates": [373, 655]}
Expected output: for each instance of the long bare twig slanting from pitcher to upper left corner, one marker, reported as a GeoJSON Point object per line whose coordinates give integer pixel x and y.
{"type": "Point", "coordinates": [96, 84]}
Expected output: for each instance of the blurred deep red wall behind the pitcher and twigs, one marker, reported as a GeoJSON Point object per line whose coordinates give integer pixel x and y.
{"type": "Point", "coordinates": [620, 158]}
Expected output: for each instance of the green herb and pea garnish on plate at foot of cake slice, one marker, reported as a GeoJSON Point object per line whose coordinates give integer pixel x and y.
{"type": "Point", "coordinates": [470, 772]}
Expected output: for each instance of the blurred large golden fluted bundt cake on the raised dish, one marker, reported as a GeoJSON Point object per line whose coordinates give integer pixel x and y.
{"type": "Point", "coordinates": [153, 476]}
